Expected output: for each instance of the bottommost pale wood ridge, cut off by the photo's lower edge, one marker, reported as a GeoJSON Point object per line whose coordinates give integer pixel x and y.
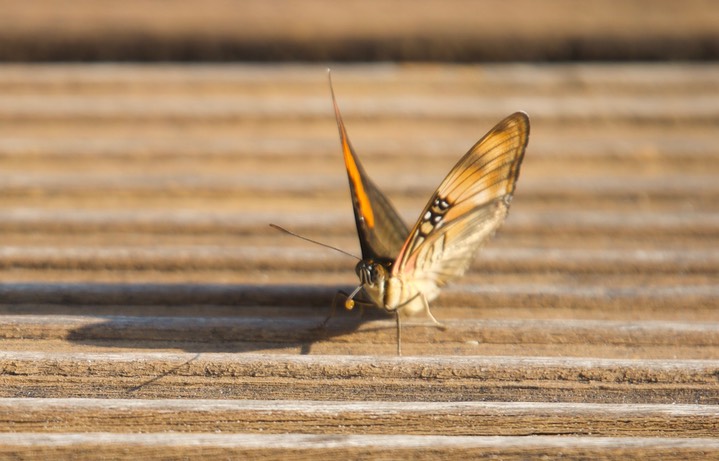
{"type": "Point", "coordinates": [308, 446]}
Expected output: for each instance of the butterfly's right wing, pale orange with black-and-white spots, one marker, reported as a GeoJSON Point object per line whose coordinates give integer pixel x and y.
{"type": "Point", "coordinates": [467, 208]}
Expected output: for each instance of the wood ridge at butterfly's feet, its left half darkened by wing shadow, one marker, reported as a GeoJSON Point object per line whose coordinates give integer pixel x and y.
{"type": "Point", "coordinates": [258, 328]}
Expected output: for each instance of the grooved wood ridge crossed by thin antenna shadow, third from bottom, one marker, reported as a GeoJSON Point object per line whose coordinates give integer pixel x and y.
{"type": "Point", "coordinates": [123, 374]}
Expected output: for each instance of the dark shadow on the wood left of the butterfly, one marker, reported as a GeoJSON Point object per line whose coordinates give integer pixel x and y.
{"type": "Point", "coordinates": [191, 317]}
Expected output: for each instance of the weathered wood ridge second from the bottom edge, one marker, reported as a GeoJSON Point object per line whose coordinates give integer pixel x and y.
{"type": "Point", "coordinates": [342, 417]}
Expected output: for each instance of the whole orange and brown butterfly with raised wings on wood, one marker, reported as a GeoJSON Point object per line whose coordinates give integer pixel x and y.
{"type": "Point", "coordinates": [403, 269]}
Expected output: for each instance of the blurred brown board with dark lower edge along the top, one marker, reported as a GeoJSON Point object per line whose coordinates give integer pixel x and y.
{"type": "Point", "coordinates": [367, 30]}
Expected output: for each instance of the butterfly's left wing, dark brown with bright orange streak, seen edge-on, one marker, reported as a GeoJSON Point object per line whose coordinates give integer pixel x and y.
{"type": "Point", "coordinates": [380, 229]}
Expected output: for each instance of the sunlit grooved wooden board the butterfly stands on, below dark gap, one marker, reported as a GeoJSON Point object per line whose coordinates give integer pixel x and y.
{"type": "Point", "coordinates": [148, 309]}
